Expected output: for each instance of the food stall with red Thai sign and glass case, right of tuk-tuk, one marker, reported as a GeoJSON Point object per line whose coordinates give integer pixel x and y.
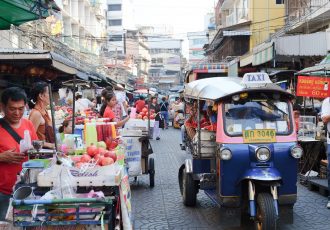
{"type": "Point", "coordinates": [312, 88]}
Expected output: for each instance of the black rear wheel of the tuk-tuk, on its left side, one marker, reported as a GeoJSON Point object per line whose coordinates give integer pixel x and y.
{"type": "Point", "coordinates": [189, 189]}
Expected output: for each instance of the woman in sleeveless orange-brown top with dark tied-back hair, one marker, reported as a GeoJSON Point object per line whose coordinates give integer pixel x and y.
{"type": "Point", "coordinates": [39, 115]}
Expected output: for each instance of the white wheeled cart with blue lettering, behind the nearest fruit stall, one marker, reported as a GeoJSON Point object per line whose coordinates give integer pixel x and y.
{"type": "Point", "coordinates": [138, 149]}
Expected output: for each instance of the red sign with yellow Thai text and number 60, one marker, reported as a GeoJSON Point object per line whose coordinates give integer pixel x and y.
{"type": "Point", "coordinates": [313, 86]}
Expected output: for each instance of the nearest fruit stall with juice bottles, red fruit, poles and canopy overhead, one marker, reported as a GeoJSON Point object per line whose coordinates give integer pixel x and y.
{"type": "Point", "coordinates": [85, 166]}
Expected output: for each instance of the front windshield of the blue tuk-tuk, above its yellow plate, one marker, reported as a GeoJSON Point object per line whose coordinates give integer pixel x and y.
{"type": "Point", "coordinates": [257, 114]}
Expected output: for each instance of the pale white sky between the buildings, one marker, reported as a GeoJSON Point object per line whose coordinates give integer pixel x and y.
{"type": "Point", "coordinates": [183, 15]}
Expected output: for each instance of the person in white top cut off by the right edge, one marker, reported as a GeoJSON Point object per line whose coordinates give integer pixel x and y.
{"type": "Point", "coordinates": [325, 115]}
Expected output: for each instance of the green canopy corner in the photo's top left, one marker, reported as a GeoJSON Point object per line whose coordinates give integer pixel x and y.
{"type": "Point", "coordinates": [17, 12]}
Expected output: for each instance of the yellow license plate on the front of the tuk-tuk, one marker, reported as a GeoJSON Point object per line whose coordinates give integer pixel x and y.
{"type": "Point", "coordinates": [259, 136]}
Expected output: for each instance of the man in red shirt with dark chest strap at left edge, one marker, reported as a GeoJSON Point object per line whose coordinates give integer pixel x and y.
{"type": "Point", "coordinates": [13, 101]}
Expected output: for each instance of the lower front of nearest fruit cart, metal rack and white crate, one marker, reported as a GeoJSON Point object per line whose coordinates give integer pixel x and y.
{"type": "Point", "coordinates": [35, 202]}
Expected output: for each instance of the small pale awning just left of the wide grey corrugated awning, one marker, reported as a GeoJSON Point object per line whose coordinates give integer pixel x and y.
{"type": "Point", "coordinates": [263, 53]}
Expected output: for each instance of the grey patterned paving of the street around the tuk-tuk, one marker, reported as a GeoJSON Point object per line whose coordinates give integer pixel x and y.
{"type": "Point", "coordinates": [161, 207]}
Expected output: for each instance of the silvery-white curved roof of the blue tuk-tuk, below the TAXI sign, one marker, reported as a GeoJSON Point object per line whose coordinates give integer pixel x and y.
{"type": "Point", "coordinates": [219, 87]}
